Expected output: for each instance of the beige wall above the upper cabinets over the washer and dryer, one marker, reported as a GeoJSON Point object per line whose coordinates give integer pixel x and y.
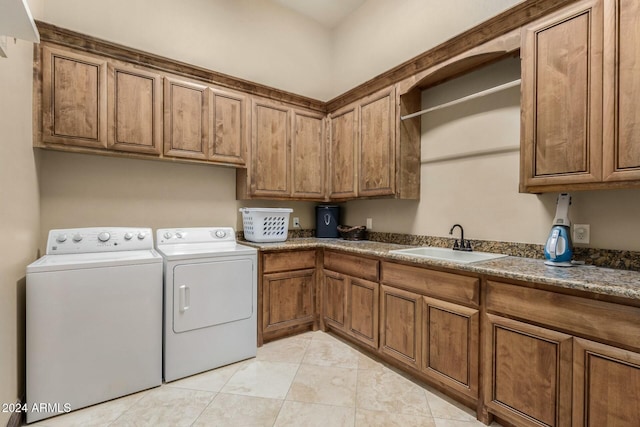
{"type": "Point", "coordinates": [257, 40]}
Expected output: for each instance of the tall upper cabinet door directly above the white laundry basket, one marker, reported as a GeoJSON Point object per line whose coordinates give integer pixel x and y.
{"type": "Point", "coordinates": [270, 149]}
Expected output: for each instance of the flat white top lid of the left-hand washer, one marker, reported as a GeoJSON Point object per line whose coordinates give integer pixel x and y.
{"type": "Point", "coordinates": [93, 260]}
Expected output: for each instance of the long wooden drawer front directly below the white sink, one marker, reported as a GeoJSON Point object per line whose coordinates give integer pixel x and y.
{"type": "Point", "coordinates": [448, 286]}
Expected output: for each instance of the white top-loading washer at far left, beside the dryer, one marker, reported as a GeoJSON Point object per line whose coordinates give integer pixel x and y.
{"type": "Point", "coordinates": [94, 319]}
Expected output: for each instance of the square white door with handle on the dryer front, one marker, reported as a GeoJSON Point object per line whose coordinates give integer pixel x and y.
{"type": "Point", "coordinates": [211, 293]}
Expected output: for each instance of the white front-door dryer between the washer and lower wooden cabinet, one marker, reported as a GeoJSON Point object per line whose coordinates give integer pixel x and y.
{"type": "Point", "coordinates": [210, 300]}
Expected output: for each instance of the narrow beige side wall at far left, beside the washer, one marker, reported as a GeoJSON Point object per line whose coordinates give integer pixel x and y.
{"type": "Point", "coordinates": [19, 213]}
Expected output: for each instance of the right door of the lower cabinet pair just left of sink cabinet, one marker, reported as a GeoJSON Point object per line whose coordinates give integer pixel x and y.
{"type": "Point", "coordinates": [362, 306]}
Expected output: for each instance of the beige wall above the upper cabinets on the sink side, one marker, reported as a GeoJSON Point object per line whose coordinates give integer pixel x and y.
{"type": "Point", "coordinates": [382, 34]}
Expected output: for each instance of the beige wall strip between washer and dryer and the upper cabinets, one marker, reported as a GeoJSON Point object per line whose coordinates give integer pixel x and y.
{"type": "Point", "coordinates": [81, 190]}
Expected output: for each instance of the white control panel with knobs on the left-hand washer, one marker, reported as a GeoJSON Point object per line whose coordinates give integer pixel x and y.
{"type": "Point", "coordinates": [99, 239]}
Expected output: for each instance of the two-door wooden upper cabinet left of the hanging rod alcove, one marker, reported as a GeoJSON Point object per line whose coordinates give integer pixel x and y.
{"type": "Point", "coordinates": [372, 152]}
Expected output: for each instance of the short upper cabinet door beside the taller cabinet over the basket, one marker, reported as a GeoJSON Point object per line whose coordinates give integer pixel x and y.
{"type": "Point", "coordinates": [230, 124]}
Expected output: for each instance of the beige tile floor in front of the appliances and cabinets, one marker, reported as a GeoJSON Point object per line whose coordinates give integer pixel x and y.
{"type": "Point", "coordinates": [313, 379]}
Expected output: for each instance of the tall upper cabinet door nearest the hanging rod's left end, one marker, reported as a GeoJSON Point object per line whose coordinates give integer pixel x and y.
{"type": "Point", "coordinates": [377, 160]}
